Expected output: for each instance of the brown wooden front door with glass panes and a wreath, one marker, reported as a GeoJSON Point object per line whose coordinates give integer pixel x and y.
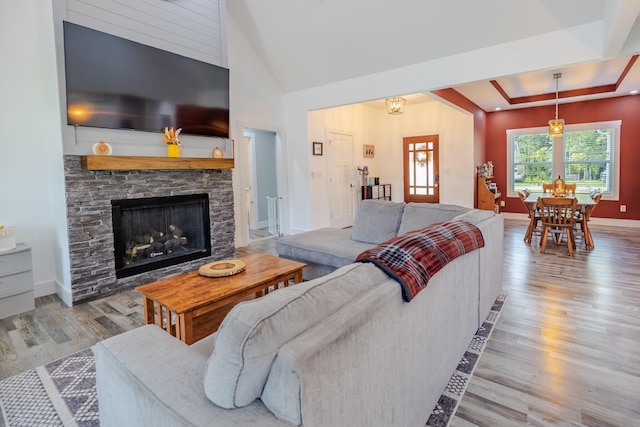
{"type": "Point", "coordinates": [421, 170]}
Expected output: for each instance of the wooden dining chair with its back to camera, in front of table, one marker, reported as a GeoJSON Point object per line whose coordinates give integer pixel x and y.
{"type": "Point", "coordinates": [558, 217]}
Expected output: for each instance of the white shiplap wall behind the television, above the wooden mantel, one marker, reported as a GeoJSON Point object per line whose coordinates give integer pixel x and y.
{"type": "Point", "coordinates": [191, 28]}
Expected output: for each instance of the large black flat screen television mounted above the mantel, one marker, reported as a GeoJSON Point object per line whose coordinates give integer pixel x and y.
{"type": "Point", "coordinates": [117, 83]}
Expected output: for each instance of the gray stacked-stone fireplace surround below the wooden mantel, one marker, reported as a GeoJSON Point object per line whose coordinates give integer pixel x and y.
{"type": "Point", "coordinates": [89, 195]}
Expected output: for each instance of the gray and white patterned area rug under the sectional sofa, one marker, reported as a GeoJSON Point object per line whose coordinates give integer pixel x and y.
{"type": "Point", "coordinates": [63, 393]}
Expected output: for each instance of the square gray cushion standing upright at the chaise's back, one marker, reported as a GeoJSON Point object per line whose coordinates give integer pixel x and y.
{"type": "Point", "coordinates": [376, 221]}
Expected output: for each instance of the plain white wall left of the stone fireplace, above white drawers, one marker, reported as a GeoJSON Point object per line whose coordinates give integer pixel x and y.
{"type": "Point", "coordinates": [31, 171]}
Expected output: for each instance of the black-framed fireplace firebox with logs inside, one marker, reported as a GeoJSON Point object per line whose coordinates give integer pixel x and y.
{"type": "Point", "coordinates": [156, 232]}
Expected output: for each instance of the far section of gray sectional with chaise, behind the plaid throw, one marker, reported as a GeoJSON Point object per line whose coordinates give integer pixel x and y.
{"type": "Point", "coordinates": [376, 221]}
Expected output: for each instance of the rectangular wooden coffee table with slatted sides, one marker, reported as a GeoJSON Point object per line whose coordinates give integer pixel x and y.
{"type": "Point", "coordinates": [190, 306]}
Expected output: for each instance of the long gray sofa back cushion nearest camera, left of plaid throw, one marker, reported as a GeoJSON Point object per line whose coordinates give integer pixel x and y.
{"type": "Point", "coordinates": [253, 332]}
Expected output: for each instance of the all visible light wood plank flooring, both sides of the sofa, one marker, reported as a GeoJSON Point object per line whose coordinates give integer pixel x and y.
{"type": "Point", "coordinates": [565, 351]}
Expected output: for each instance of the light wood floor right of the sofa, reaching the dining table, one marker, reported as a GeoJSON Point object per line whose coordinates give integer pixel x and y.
{"type": "Point", "coordinates": [566, 349]}
